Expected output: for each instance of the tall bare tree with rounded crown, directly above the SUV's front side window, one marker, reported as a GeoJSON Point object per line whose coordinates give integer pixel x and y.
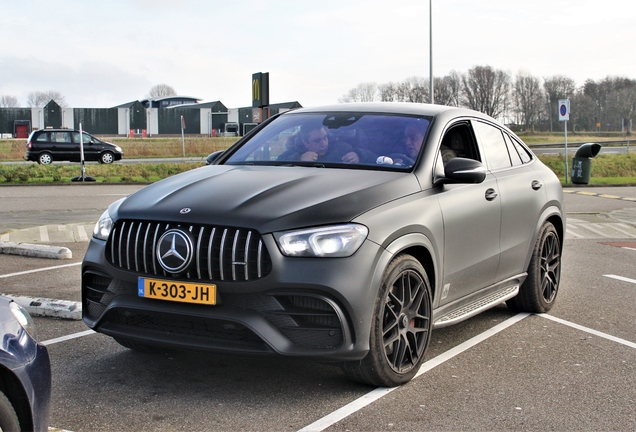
{"type": "Point", "coordinates": [486, 90]}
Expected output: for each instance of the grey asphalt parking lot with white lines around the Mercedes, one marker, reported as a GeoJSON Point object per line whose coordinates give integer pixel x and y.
{"type": "Point", "coordinates": [573, 369]}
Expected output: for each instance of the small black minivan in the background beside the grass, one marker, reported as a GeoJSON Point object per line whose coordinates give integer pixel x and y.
{"type": "Point", "coordinates": [46, 145]}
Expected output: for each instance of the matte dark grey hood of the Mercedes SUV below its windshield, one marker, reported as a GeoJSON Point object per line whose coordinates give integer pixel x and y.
{"type": "Point", "coordinates": [266, 198]}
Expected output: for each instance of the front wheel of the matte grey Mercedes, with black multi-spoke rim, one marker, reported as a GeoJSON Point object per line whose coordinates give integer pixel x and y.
{"type": "Point", "coordinates": [401, 327]}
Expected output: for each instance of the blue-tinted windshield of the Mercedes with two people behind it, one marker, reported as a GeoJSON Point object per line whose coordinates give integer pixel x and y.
{"type": "Point", "coordinates": [338, 139]}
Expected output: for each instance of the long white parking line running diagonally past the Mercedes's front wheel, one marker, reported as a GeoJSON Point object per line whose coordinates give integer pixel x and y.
{"type": "Point", "coordinates": [378, 393]}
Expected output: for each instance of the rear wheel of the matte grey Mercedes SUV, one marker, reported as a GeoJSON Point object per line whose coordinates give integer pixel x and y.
{"type": "Point", "coordinates": [538, 292]}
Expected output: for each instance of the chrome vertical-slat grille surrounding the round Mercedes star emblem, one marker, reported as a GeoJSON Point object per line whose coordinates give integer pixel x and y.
{"type": "Point", "coordinates": [220, 253]}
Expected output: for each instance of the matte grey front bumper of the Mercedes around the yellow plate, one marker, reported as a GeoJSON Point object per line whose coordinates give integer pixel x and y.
{"type": "Point", "coordinates": [308, 307]}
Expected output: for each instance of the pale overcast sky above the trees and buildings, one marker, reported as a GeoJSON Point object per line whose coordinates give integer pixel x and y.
{"type": "Point", "coordinates": [100, 54]}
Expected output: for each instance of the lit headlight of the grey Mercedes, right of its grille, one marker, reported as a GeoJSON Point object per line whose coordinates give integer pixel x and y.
{"type": "Point", "coordinates": [331, 242]}
